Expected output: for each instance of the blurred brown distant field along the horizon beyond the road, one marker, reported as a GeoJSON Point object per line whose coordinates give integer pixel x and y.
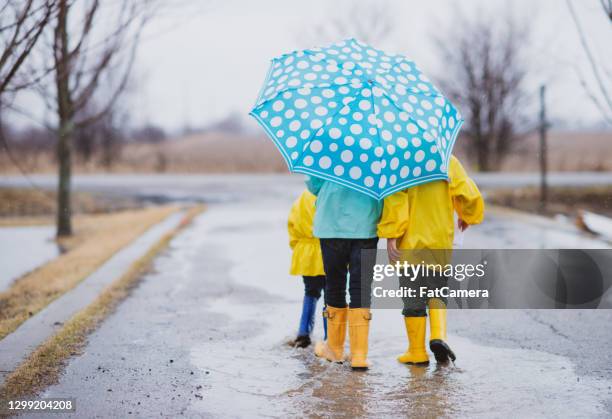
{"type": "Point", "coordinates": [231, 153]}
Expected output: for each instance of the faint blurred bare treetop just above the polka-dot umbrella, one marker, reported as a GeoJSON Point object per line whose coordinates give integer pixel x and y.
{"type": "Point", "coordinates": [370, 21]}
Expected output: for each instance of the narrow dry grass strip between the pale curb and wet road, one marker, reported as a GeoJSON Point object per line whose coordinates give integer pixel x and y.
{"type": "Point", "coordinates": [43, 366]}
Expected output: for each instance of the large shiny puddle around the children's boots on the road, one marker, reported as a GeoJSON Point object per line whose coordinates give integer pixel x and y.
{"type": "Point", "coordinates": [253, 373]}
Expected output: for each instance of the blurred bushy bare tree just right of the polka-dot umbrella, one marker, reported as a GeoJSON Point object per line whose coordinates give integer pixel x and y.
{"type": "Point", "coordinates": [485, 75]}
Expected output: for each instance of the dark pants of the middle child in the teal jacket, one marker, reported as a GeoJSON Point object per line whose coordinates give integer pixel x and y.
{"type": "Point", "coordinates": [342, 256]}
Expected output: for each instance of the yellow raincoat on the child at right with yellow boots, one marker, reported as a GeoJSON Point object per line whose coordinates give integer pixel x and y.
{"type": "Point", "coordinates": [421, 217]}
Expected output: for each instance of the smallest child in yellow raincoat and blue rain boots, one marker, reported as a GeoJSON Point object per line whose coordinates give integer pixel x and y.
{"type": "Point", "coordinates": [306, 261]}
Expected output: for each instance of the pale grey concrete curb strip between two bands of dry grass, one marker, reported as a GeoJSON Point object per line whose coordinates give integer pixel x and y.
{"type": "Point", "coordinates": [17, 346]}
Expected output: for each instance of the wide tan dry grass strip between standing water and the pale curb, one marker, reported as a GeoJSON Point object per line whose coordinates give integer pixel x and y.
{"type": "Point", "coordinates": [96, 239]}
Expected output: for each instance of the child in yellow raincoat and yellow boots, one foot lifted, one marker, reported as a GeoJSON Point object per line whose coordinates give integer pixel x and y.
{"type": "Point", "coordinates": [421, 217]}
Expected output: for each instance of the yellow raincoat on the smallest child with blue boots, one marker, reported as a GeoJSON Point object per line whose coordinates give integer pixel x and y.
{"type": "Point", "coordinates": [307, 259]}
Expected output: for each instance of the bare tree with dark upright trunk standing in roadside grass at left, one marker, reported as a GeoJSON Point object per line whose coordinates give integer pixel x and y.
{"type": "Point", "coordinates": [81, 59]}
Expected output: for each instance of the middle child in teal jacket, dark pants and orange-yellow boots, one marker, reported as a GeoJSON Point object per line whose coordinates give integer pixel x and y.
{"type": "Point", "coordinates": [345, 222]}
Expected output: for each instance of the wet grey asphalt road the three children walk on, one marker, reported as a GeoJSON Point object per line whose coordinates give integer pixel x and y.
{"type": "Point", "coordinates": [203, 335]}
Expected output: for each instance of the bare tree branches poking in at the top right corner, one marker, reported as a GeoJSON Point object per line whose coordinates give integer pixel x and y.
{"type": "Point", "coordinates": [597, 90]}
